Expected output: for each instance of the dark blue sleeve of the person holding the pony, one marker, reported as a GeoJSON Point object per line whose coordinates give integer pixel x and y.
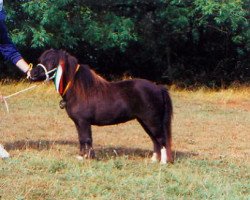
{"type": "Point", "coordinates": [7, 48]}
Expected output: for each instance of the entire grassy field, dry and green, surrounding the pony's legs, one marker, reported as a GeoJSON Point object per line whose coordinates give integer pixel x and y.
{"type": "Point", "coordinates": [210, 145]}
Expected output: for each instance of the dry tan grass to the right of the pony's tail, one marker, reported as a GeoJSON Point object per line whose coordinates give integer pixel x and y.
{"type": "Point", "coordinates": [218, 122]}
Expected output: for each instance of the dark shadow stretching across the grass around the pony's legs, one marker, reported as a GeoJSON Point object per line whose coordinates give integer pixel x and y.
{"type": "Point", "coordinates": [102, 153]}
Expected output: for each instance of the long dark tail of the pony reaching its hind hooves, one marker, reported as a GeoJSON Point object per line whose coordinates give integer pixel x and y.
{"type": "Point", "coordinates": [167, 121]}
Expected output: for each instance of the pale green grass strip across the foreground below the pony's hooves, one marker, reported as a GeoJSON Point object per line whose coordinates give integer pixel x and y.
{"type": "Point", "coordinates": [41, 176]}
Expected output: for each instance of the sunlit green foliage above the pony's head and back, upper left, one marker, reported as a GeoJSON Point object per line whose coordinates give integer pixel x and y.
{"type": "Point", "coordinates": [65, 24]}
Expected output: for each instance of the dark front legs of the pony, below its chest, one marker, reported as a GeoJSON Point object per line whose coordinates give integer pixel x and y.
{"type": "Point", "coordinates": [85, 139]}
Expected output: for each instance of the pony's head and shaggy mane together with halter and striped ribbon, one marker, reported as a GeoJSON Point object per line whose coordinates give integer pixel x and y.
{"type": "Point", "coordinates": [65, 69]}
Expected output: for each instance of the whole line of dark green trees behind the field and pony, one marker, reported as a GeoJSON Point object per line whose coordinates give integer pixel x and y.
{"type": "Point", "coordinates": [187, 42]}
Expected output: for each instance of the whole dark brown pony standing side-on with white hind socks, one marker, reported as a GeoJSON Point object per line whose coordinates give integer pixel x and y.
{"type": "Point", "coordinates": [91, 100]}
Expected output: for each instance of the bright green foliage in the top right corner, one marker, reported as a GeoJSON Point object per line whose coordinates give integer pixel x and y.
{"type": "Point", "coordinates": [228, 17]}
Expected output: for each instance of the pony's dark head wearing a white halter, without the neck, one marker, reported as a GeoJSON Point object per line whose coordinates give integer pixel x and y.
{"type": "Point", "coordinates": [48, 63]}
